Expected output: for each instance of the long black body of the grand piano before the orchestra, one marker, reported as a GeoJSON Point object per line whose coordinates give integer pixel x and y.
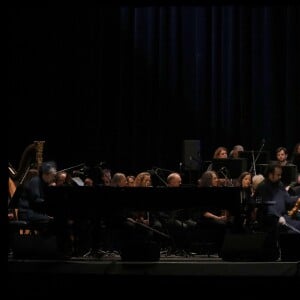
{"type": "Point", "coordinates": [84, 201]}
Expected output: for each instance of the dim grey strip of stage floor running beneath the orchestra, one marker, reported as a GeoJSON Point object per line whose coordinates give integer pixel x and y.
{"type": "Point", "coordinates": [172, 265]}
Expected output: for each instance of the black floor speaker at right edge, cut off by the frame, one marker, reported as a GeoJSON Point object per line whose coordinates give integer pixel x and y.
{"type": "Point", "coordinates": [290, 246]}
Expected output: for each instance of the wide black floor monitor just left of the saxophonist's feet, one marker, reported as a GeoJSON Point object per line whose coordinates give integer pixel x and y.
{"type": "Point", "coordinates": [248, 247]}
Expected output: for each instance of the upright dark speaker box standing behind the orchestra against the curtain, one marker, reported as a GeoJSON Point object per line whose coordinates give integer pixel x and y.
{"type": "Point", "coordinates": [192, 155]}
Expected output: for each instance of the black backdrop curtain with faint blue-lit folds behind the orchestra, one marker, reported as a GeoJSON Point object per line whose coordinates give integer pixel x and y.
{"type": "Point", "coordinates": [127, 85]}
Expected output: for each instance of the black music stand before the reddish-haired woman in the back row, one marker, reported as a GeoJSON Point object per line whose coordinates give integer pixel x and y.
{"type": "Point", "coordinates": [232, 167]}
